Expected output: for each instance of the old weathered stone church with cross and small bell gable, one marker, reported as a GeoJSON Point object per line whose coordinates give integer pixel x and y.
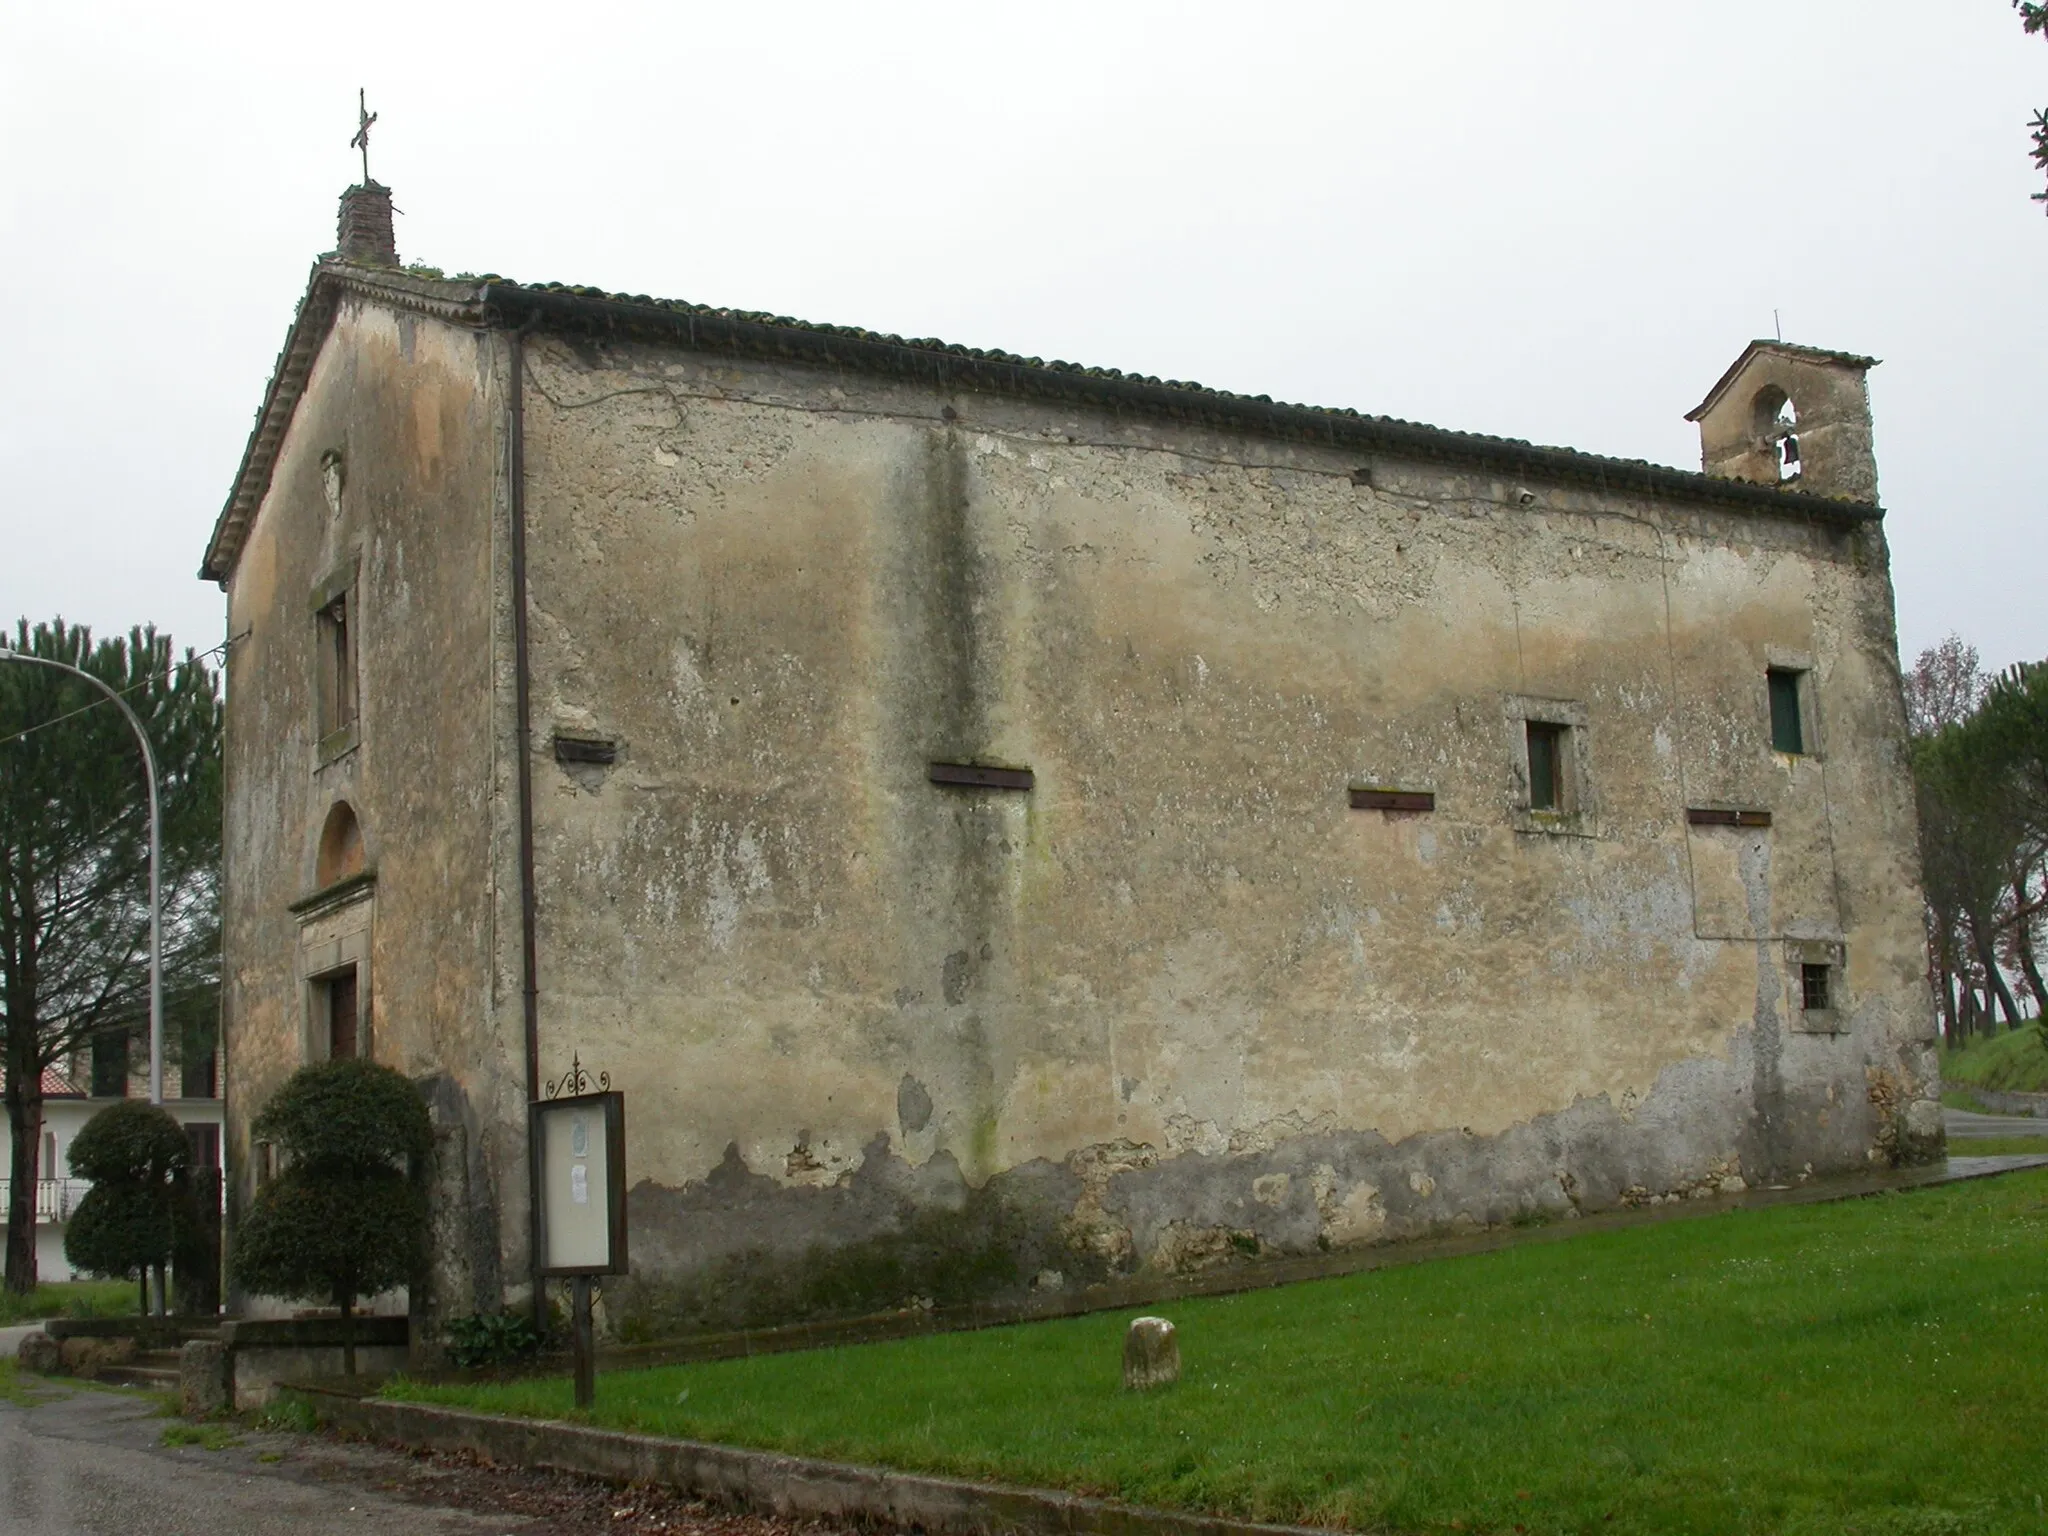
{"type": "Point", "coordinates": [1011, 826]}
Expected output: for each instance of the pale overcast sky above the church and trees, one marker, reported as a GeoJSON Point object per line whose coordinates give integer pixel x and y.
{"type": "Point", "coordinates": [1553, 222]}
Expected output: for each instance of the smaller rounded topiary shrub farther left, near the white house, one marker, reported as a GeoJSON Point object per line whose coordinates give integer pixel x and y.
{"type": "Point", "coordinates": [136, 1211]}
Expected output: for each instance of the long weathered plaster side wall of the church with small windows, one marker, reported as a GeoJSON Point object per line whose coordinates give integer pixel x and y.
{"type": "Point", "coordinates": [1179, 1002]}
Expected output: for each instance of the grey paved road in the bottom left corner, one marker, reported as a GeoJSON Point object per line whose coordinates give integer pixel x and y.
{"type": "Point", "coordinates": [91, 1463]}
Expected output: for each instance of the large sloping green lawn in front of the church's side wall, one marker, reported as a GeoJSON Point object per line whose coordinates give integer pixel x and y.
{"type": "Point", "coordinates": [1865, 1367]}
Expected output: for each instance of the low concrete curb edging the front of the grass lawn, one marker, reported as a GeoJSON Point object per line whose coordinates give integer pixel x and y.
{"type": "Point", "coordinates": [767, 1482]}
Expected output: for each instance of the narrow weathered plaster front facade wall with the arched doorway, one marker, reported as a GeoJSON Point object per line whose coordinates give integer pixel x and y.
{"type": "Point", "coordinates": [415, 415]}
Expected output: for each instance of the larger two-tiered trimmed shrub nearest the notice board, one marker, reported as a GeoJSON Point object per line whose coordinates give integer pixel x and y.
{"type": "Point", "coordinates": [345, 1218]}
